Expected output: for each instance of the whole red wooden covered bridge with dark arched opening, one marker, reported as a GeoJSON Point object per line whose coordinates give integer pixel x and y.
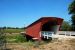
{"type": "Point", "coordinates": [43, 28]}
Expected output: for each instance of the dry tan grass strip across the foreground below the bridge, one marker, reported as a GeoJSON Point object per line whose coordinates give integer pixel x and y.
{"type": "Point", "coordinates": [56, 45]}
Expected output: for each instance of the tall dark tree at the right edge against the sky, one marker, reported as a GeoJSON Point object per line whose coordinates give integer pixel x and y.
{"type": "Point", "coordinates": [71, 9]}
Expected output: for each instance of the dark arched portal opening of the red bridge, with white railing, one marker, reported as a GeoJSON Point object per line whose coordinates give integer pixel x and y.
{"type": "Point", "coordinates": [48, 29]}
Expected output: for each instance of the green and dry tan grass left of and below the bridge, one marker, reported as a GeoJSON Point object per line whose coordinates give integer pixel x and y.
{"type": "Point", "coordinates": [18, 42]}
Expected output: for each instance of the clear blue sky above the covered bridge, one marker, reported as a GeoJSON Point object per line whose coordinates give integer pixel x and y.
{"type": "Point", "coordinates": [21, 13]}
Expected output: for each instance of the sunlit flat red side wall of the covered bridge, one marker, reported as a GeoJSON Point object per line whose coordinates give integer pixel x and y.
{"type": "Point", "coordinates": [34, 30]}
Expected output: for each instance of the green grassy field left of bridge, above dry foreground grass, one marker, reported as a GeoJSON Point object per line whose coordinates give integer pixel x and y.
{"type": "Point", "coordinates": [13, 35]}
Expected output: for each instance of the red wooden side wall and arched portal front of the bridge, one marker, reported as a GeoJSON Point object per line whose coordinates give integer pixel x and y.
{"type": "Point", "coordinates": [34, 29]}
